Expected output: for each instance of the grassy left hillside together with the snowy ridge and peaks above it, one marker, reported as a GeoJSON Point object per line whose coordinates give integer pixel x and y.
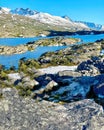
{"type": "Point", "coordinates": [25, 23]}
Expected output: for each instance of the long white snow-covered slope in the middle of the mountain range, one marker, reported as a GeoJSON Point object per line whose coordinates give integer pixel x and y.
{"type": "Point", "coordinates": [57, 20]}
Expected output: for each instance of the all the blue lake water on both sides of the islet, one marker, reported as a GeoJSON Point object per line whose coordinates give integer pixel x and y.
{"type": "Point", "coordinates": [13, 60]}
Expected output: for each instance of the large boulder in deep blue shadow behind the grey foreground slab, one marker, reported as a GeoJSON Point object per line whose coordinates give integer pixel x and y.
{"type": "Point", "coordinates": [73, 89]}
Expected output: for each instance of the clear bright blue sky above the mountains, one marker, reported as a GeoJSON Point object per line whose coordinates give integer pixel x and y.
{"type": "Point", "coordinates": [78, 10]}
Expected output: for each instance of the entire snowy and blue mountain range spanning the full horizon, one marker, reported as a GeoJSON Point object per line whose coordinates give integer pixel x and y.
{"type": "Point", "coordinates": [46, 18]}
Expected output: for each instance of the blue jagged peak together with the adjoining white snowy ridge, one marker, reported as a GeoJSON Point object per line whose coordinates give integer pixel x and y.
{"type": "Point", "coordinates": [50, 19]}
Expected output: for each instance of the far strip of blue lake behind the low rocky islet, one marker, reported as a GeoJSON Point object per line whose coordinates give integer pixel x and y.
{"type": "Point", "coordinates": [18, 41]}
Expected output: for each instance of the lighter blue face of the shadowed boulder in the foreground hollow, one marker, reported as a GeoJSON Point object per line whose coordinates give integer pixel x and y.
{"type": "Point", "coordinates": [74, 91]}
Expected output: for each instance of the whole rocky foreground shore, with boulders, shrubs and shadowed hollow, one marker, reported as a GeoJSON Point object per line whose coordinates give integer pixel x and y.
{"type": "Point", "coordinates": [34, 98]}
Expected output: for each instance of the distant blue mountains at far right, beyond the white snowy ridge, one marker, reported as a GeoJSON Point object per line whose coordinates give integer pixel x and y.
{"type": "Point", "coordinates": [92, 26]}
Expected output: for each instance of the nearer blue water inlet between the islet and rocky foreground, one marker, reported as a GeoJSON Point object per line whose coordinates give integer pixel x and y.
{"type": "Point", "coordinates": [13, 60]}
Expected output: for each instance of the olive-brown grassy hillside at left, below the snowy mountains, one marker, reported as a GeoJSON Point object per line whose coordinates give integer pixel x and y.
{"type": "Point", "coordinates": [20, 26]}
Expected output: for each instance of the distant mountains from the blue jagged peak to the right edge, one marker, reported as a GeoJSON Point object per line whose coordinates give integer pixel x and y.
{"type": "Point", "coordinates": [47, 18]}
